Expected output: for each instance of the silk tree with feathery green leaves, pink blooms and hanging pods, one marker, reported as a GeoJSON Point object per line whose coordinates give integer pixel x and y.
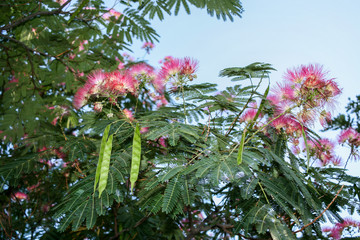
{"type": "Point", "coordinates": [98, 145]}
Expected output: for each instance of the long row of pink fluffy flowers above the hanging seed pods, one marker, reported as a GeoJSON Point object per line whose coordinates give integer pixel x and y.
{"type": "Point", "coordinates": [124, 81]}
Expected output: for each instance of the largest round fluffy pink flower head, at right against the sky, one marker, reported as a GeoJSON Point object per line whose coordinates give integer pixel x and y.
{"type": "Point", "coordinates": [306, 93]}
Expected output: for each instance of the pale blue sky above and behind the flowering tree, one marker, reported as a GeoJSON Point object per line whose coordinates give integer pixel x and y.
{"type": "Point", "coordinates": [284, 33]}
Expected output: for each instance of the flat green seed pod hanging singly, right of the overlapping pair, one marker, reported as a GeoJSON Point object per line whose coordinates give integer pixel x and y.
{"type": "Point", "coordinates": [136, 155]}
